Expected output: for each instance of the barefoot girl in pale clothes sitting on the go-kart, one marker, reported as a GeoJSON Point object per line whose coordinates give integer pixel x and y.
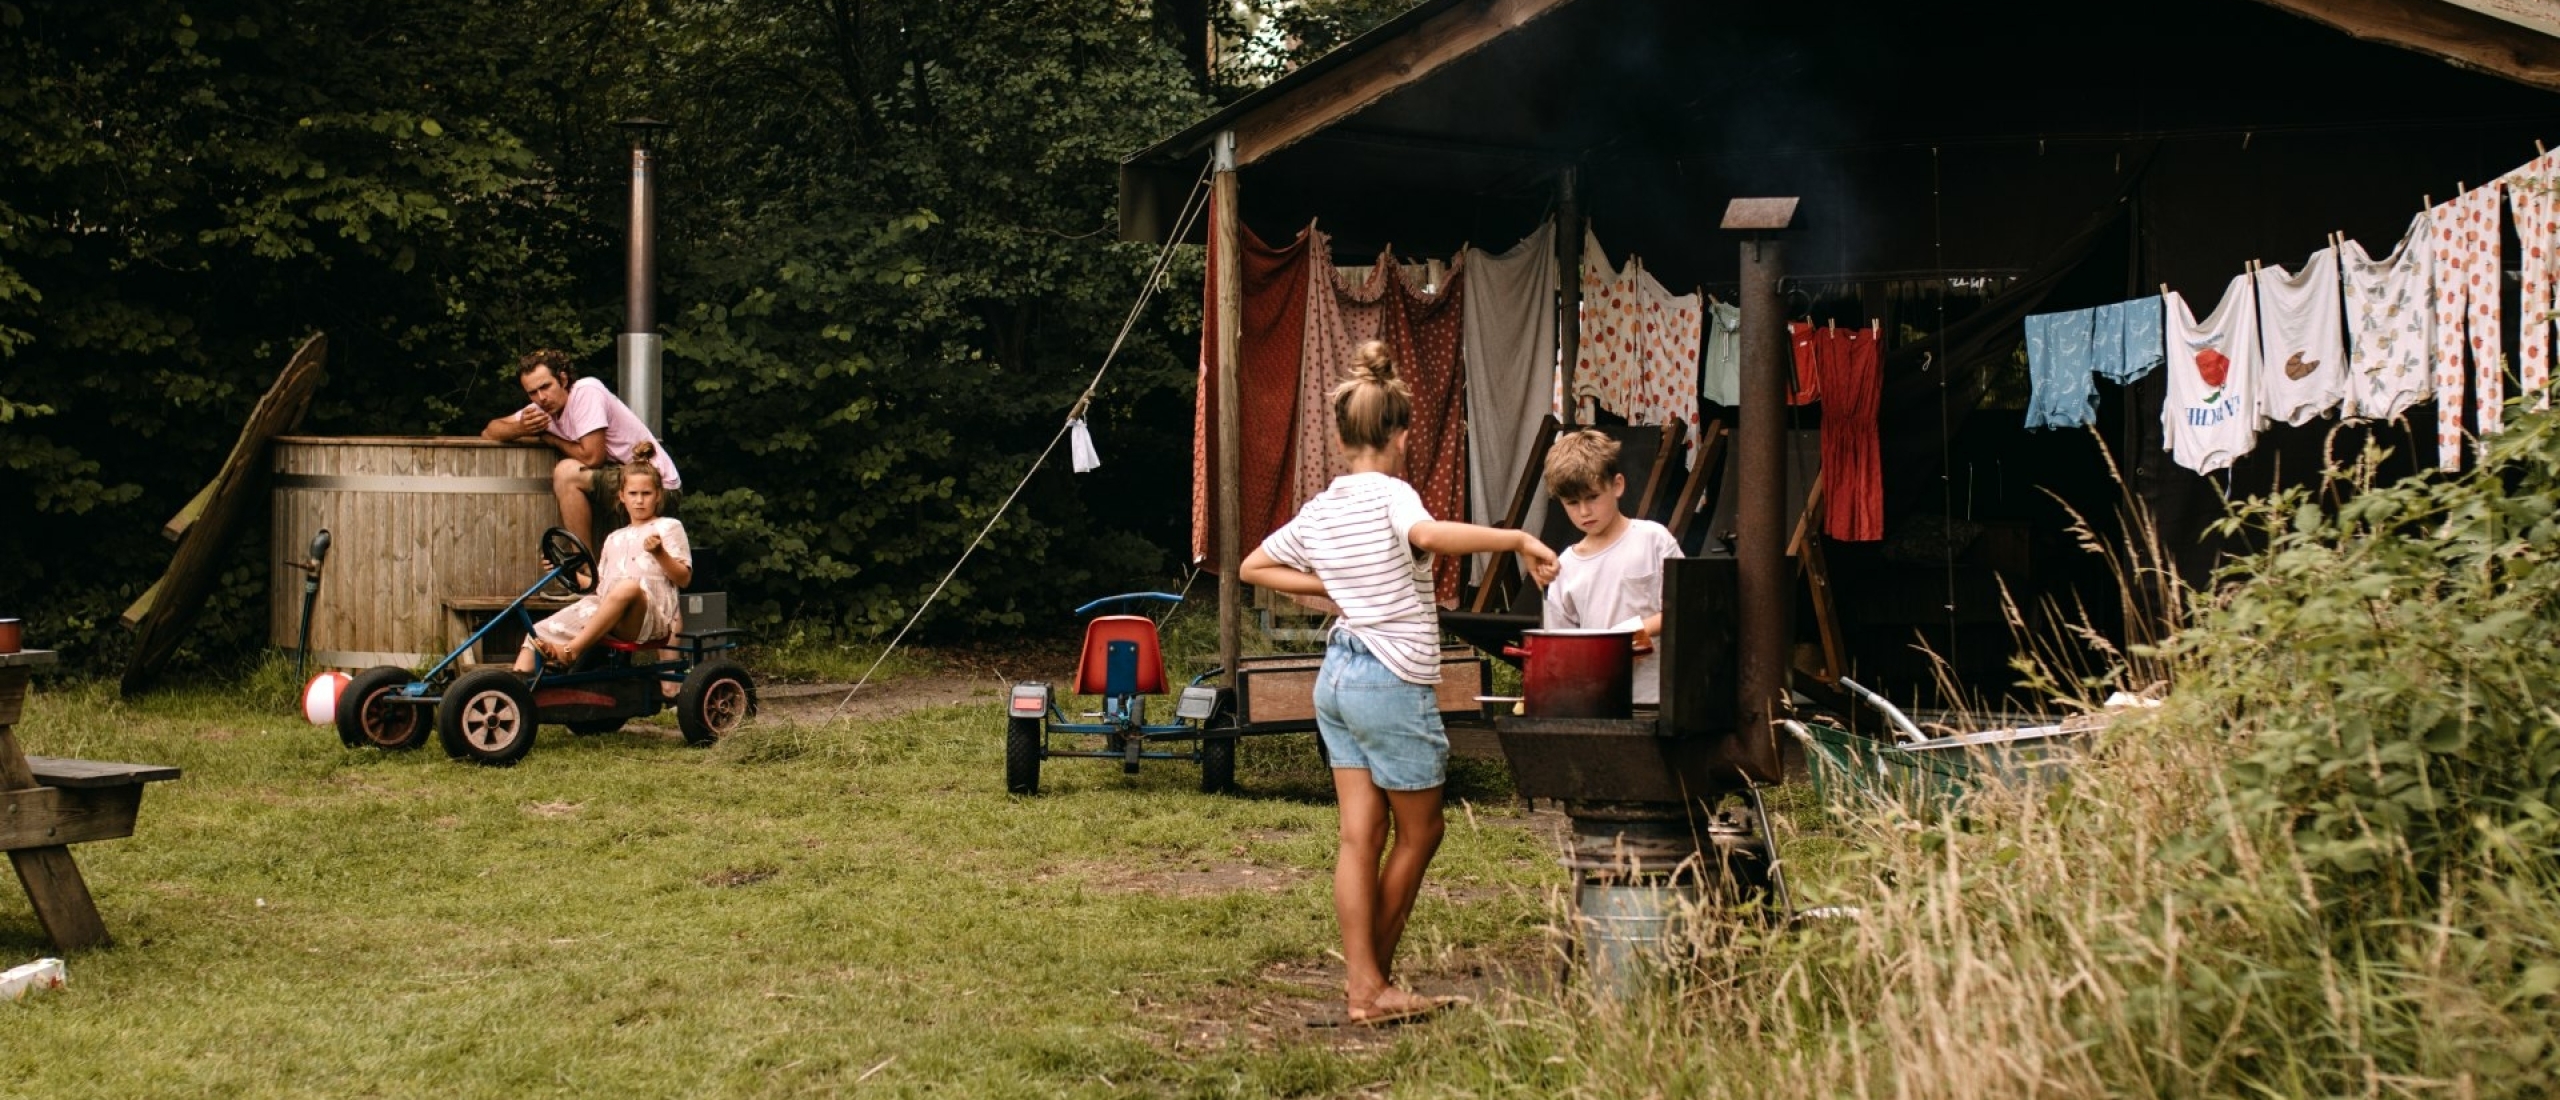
{"type": "Point", "coordinates": [639, 574]}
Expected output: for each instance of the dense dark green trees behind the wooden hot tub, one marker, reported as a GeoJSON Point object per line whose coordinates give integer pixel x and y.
{"type": "Point", "coordinates": [890, 265]}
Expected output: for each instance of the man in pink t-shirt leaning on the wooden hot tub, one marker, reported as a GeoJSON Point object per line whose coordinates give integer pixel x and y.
{"type": "Point", "coordinates": [593, 431]}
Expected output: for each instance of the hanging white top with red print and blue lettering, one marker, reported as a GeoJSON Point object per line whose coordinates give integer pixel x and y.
{"type": "Point", "coordinates": [2211, 416]}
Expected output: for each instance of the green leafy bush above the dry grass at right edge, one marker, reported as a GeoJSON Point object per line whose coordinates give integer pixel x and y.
{"type": "Point", "coordinates": [2413, 631]}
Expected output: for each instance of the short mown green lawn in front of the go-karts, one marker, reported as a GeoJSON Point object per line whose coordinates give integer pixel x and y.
{"type": "Point", "coordinates": [803, 909]}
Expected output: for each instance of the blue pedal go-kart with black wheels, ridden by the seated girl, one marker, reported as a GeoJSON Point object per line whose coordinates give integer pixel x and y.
{"type": "Point", "coordinates": [488, 715]}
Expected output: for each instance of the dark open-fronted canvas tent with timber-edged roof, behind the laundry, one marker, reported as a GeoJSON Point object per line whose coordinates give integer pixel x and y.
{"type": "Point", "coordinates": [2111, 150]}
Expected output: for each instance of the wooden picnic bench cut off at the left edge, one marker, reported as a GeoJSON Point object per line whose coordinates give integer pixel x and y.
{"type": "Point", "coordinates": [47, 805]}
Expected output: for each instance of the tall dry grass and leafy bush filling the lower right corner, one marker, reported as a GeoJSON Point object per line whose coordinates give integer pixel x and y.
{"type": "Point", "coordinates": [2185, 917]}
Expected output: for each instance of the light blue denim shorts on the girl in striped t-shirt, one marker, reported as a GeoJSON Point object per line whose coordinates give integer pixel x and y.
{"type": "Point", "coordinates": [1376, 720]}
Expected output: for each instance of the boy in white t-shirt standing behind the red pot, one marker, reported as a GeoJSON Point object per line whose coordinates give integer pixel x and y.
{"type": "Point", "coordinates": [1614, 577]}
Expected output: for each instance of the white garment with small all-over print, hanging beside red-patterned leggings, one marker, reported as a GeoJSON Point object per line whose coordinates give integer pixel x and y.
{"type": "Point", "coordinates": [2390, 324]}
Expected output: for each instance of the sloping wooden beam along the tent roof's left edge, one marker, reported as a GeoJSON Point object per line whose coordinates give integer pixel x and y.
{"type": "Point", "coordinates": [1368, 78]}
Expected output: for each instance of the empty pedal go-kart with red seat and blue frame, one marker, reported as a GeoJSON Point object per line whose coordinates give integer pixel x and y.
{"type": "Point", "coordinates": [1123, 664]}
